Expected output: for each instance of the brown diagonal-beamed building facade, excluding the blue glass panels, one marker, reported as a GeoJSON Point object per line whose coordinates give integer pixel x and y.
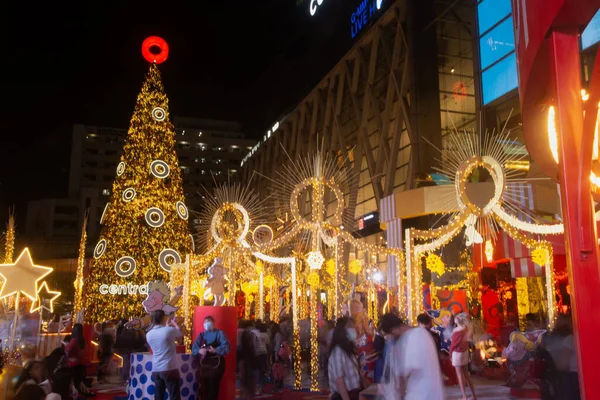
{"type": "Point", "coordinates": [385, 106]}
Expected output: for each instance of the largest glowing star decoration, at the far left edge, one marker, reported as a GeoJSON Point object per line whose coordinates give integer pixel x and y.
{"type": "Point", "coordinates": [22, 277]}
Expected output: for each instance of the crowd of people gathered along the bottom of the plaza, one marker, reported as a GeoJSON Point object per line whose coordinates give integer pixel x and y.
{"type": "Point", "coordinates": [409, 362]}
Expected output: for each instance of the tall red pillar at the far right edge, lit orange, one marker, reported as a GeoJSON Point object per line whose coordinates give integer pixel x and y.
{"type": "Point", "coordinates": [577, 206]}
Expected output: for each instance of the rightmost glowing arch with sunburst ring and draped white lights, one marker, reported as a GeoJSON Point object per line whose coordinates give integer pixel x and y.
{"type": "Point", "coordinates": [463, 155]}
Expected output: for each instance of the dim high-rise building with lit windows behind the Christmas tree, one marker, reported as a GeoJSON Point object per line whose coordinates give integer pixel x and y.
{"type": "Point", "coordinates": [209, 152]}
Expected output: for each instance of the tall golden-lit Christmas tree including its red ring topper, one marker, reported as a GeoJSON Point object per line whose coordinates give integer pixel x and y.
{"type": "Point", "coordinates": [145, 224]}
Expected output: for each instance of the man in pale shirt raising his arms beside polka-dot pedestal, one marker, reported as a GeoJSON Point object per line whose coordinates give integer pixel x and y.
{"type": "Point", "coordinates": [161, 339]}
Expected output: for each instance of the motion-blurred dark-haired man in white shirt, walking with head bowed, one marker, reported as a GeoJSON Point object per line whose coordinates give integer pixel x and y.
{"type": "Point", "coordinates": [414, 361]}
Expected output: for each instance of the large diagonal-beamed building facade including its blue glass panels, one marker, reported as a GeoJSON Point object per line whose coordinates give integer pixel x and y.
{"type": "Point", "coordinates": [417, 72]}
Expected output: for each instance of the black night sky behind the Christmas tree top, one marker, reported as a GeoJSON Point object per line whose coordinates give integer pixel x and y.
{"type": "Point", "coordinates": [249, 61]}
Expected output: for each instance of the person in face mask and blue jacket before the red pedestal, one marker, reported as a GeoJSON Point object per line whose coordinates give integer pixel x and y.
{"type": "Point", "coordinates": [211, 346]}
